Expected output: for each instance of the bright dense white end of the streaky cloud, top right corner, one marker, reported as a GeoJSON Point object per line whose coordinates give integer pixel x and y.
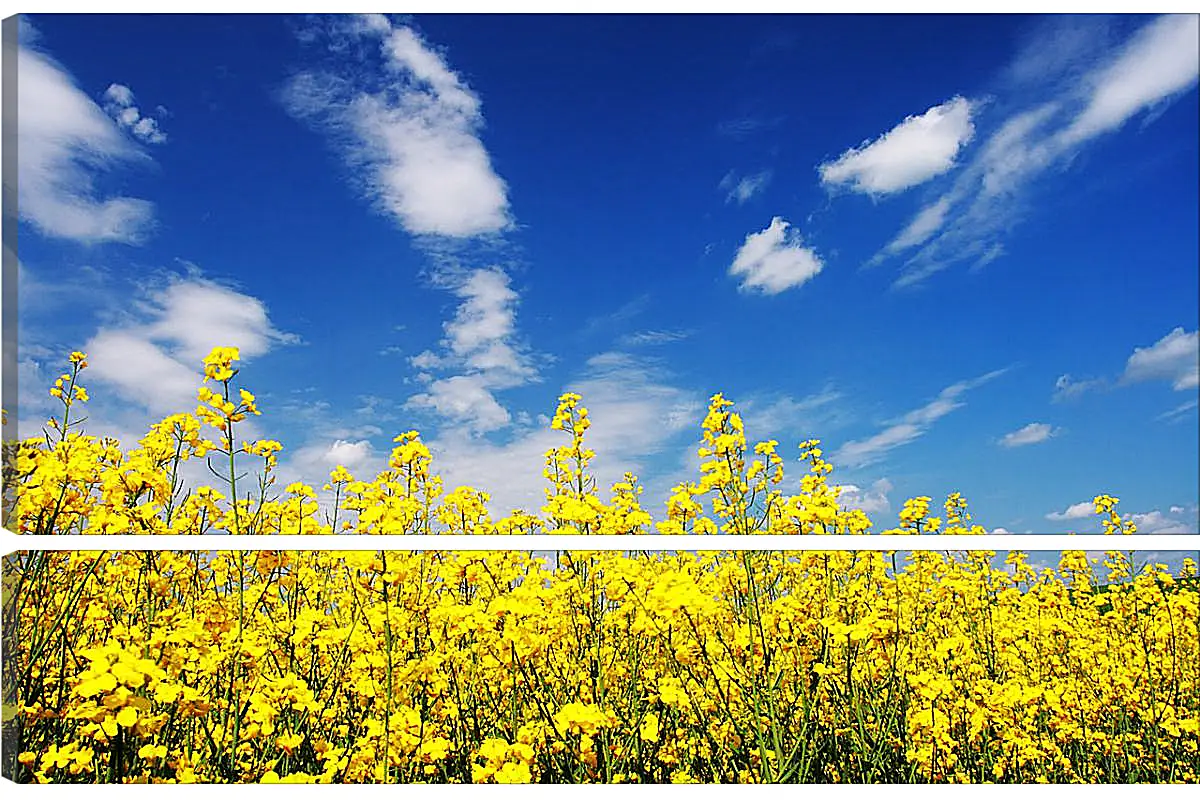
{"type": "Point", "coordinates": [1162, 61]}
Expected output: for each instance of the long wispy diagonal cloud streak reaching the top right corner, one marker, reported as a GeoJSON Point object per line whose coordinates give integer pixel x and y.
{"type": "Point", "coordinates": [1067, 98]}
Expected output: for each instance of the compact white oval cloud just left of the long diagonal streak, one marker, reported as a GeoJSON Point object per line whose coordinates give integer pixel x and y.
{"type": "Point", "coordinates": [913, 153]}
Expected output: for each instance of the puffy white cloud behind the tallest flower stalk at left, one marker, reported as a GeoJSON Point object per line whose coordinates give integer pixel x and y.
{"type": "Point", "coordinates": [154, 358]}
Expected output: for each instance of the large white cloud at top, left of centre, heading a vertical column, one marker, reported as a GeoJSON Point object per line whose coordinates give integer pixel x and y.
{"type": "Point", "coordinates": [411, 134]}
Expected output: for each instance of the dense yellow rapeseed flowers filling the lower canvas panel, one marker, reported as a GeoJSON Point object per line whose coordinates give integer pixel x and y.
{"type": "Point", "coordinates": [611, 667]}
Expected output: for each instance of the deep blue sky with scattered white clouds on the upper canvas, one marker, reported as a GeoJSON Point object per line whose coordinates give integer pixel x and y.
{"type": "Point", "coordinates": [962, 251]}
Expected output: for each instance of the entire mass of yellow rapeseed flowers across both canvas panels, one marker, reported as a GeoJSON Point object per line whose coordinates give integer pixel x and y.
{"type": "Point", "coordinates": [575, 667]}
